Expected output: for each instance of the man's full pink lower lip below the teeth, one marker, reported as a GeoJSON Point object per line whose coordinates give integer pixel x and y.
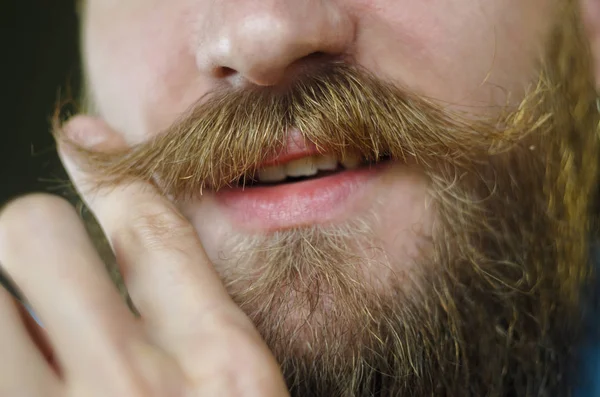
{"type": "Point", "coordinates": [286, 206]}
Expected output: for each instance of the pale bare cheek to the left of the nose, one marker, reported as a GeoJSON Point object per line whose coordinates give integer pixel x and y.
{"type": "Point", "coordinates": [141, 67]}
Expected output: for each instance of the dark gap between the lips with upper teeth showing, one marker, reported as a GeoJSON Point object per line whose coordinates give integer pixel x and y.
{"type": "Point", "coordinates": [306, 168]}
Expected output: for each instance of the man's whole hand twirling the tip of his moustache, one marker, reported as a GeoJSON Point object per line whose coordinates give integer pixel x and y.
{"type": "Point", "coordinates": [191, 339]}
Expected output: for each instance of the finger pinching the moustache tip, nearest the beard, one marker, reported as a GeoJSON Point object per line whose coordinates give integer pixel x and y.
{"type": "Point", "coordinates": [169, 277]}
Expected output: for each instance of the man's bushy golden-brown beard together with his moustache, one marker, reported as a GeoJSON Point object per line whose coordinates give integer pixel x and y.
{"type": "Point", "coordinates": [492, 303]}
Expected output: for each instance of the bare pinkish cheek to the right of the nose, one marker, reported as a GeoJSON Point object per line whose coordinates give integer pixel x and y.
{"type": "Point", "coordinates": [463, 52]}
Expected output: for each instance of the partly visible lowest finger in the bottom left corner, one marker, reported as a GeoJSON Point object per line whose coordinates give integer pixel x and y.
{"type": "Point", "coordinates": [23, 369]}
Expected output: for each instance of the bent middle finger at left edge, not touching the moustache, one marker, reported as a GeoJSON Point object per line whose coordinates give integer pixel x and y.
{"type": "Point", "coordinates": [45, 249]}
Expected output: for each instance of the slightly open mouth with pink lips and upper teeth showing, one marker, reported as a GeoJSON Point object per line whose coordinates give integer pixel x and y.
{"type": "Point", "coordinates": [301, 186]}
